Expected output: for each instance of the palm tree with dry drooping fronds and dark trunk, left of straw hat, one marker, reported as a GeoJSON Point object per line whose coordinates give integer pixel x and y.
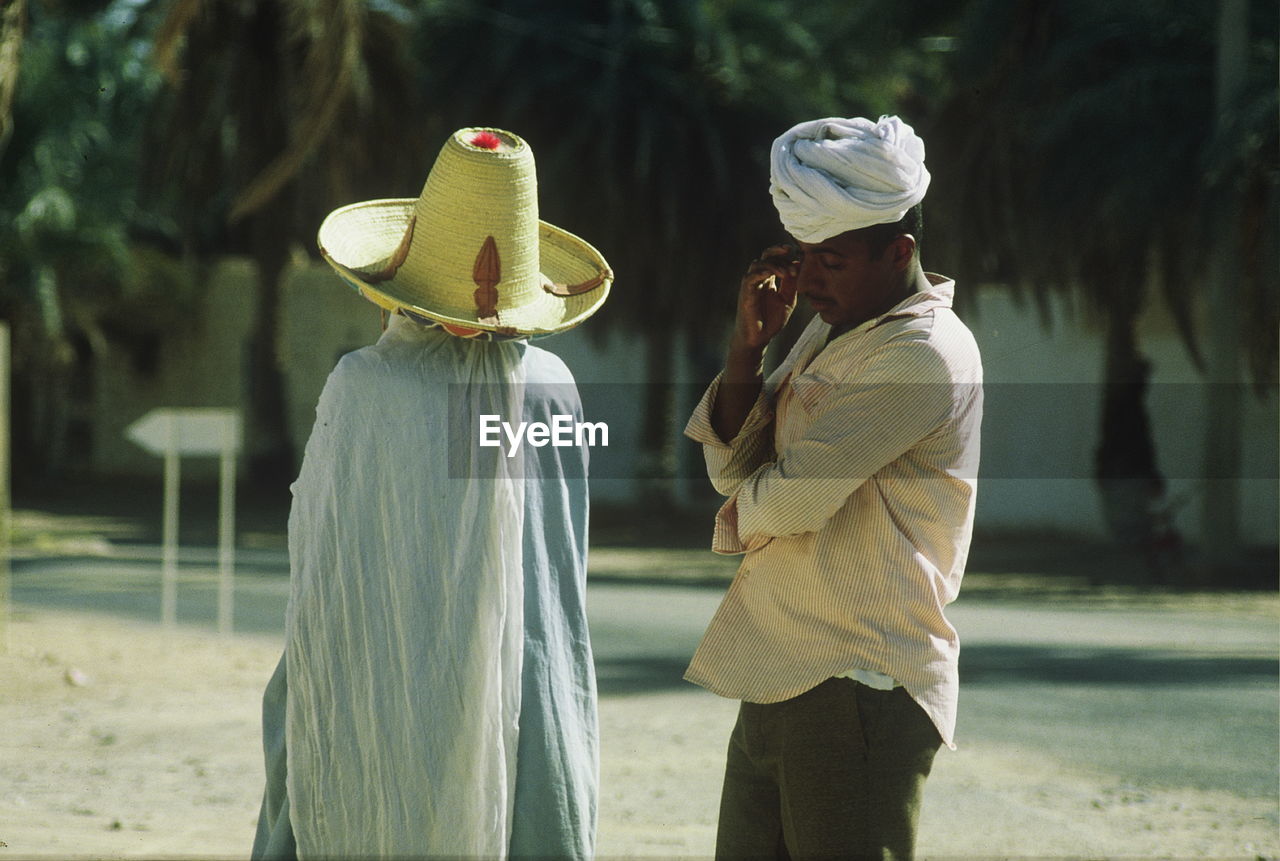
{"type": "Point", "coordinates": [273, 113]}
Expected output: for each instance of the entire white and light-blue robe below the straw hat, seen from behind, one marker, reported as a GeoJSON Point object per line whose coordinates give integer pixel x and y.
{"type": "Point", "coordinates": [438, 693]}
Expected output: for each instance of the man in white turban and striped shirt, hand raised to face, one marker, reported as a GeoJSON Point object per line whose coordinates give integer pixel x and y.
{"type": "Point", "coordinates": [851, 477]}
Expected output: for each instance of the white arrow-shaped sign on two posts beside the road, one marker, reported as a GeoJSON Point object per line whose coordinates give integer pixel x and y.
{"type": "Point", "coordinates": [202, 432]}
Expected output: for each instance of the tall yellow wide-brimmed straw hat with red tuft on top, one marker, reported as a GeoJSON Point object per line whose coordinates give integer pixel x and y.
{"type": "Point", "coordinates": [470, 254]}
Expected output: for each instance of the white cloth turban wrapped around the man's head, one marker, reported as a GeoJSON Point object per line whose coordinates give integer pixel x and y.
{"type": "Point", "coordinates": [830, 176]}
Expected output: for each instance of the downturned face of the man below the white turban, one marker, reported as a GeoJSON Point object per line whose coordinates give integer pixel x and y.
{"type": "Point", "coordinates": [845, 283]}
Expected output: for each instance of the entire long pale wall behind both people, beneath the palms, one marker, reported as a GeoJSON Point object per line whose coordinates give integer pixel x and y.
{"type": "Point", "coordinates": [1040, 432]}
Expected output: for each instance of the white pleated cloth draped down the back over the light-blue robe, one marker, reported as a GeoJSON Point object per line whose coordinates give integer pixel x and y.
{"type": "Point", "coordinates": [406, 616]}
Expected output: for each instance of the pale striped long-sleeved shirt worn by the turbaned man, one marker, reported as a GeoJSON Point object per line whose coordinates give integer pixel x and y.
{"type": "Point", "coordinates": [852, 492]}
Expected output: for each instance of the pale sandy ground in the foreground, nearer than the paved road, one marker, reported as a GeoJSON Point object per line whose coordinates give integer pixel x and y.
{"type": "Point", "coordinates": [124, 740]}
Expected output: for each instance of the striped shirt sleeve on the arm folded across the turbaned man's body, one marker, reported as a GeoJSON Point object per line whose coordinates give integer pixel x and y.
{"type": "Point", "coordinates": [858, 428]}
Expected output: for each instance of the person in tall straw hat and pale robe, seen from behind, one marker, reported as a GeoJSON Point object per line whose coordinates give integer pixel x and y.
{"type": "Point", "coordinates": [437, 694]}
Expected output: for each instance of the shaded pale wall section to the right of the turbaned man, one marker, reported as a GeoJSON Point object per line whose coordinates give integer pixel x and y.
{"type": "Point", "coordinates": [1043, 423]}
